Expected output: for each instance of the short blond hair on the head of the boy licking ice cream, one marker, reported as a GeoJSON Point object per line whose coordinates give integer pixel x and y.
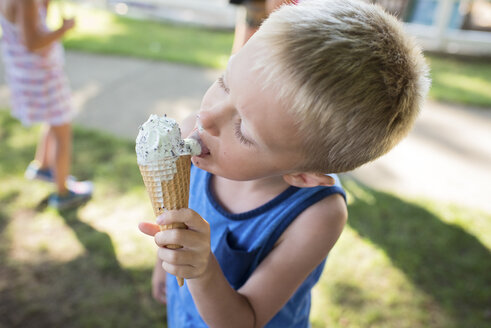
{"type": "Point", "coordinates": [350, 76]}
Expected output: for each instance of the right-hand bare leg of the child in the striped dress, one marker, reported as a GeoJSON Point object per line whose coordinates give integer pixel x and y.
{"type": "Point", "coordinates": [62, 136]}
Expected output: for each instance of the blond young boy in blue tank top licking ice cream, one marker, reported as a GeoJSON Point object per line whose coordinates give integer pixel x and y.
{"type": "Point", "coordinates": [324, 86]}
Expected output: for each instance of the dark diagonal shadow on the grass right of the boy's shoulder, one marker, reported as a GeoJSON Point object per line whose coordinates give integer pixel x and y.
{"type": "Point", "coordinates": [442, 259]}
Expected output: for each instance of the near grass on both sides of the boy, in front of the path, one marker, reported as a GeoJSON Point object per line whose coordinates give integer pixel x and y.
{"type": "Point", "coordinates": [399, 263]}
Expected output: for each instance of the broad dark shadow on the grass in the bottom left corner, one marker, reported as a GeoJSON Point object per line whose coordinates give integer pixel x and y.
{"type": "Point", "coordinates": [92, 290]}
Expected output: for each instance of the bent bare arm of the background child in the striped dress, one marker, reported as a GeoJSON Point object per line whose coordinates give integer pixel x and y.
{"type": "Point", "coordinates": [28, 22]}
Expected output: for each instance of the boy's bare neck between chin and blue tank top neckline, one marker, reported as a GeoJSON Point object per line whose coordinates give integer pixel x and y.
{"type": "Point", "coordinates": [243, 196]}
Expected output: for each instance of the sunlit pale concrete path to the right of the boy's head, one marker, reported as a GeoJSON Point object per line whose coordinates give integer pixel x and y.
{"type": "Point", "coordinates": [446, 157]}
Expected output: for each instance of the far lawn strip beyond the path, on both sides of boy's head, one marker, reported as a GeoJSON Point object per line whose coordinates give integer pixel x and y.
{"type": "Point", "coordinates": [455, 80]}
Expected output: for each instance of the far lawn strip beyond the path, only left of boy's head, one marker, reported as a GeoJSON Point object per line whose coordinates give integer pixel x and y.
{"type": "Point", "coordinates": [102, 32]}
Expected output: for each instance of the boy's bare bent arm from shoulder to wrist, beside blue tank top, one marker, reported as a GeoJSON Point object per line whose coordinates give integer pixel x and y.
{"type": "Point", "coordinates": [301, 248]}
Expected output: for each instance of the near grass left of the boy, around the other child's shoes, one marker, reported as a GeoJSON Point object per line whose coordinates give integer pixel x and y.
{"type": "Point", "coordinates": [82, 268]}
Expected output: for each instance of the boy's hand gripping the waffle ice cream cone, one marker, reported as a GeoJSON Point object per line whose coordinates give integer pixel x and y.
{"type": "Point", "coordinates": [192, 259]}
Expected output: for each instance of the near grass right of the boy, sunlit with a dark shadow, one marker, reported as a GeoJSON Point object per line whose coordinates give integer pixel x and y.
{"type": "Point", "coordinates": [406, 263]}
